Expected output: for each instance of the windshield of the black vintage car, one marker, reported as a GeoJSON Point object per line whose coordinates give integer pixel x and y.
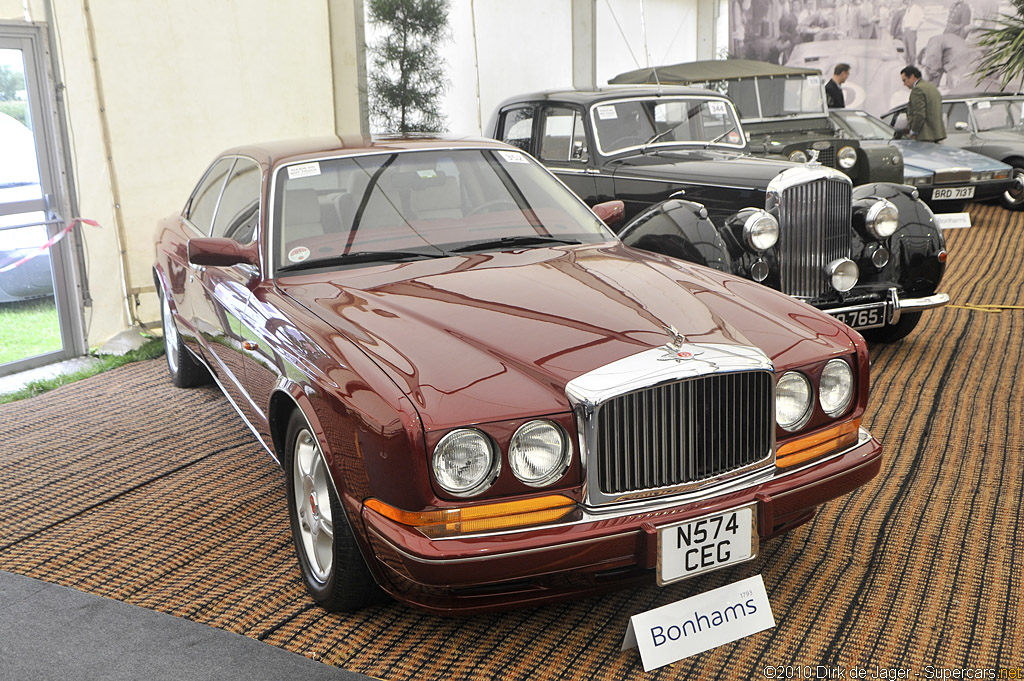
{"type": "Point", "coordinates": [665, 122]}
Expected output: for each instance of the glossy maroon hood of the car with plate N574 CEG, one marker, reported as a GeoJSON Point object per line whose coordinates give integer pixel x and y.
{"type": "Point", "coordinates": [497, 336]}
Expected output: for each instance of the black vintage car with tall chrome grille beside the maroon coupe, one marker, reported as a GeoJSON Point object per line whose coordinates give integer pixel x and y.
{"type": "Point", "coordinates": [678, 158]}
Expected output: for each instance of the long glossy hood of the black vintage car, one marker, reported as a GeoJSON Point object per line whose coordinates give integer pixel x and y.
{"type": "Point", "coordinates": [706, 166]}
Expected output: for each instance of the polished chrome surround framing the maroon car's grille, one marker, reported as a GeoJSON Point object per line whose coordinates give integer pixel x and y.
{"type": "Point", "coordinates": [652, 369]}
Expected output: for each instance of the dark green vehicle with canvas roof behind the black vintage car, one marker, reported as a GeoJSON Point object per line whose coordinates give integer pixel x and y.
{"type": "Point", "coordinates": [784, 112]}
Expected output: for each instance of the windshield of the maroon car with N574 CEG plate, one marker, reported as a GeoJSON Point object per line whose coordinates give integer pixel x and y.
{"type": "Point", "coordinates": [392, 207]}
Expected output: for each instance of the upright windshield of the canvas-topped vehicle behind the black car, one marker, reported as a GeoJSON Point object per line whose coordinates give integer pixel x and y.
{"type": "Point", "coordinates": [778, 98]}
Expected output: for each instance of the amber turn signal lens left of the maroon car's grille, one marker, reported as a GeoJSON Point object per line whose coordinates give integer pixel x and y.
{"type": "Point", "coordinates": [503, 516]}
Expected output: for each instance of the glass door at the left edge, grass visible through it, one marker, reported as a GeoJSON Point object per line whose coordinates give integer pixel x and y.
{"type": "Point", "coordinates": [35, 309]}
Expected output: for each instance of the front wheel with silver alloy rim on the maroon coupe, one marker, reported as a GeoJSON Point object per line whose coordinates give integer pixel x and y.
{"type": "Point", "coordinates": [332, 567]}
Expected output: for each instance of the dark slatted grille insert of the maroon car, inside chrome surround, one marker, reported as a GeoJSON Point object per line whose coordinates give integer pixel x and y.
{"type": "Point", "coordinates": [685, 433]}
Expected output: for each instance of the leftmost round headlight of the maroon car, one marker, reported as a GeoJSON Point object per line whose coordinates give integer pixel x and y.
{"type": "Point", "coordinates": [465, 462]}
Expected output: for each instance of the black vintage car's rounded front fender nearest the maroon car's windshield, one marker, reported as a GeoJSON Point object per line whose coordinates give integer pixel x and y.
{"type": "Point", "coordinates": [680, 230]}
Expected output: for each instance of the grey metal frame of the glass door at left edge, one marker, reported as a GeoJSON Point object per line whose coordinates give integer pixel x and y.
{"type": "Point", "coordinates": [55, 177]}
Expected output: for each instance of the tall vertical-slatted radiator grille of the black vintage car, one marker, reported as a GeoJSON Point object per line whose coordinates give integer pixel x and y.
{"type": "Point", "coordinates": [815, 230]}
